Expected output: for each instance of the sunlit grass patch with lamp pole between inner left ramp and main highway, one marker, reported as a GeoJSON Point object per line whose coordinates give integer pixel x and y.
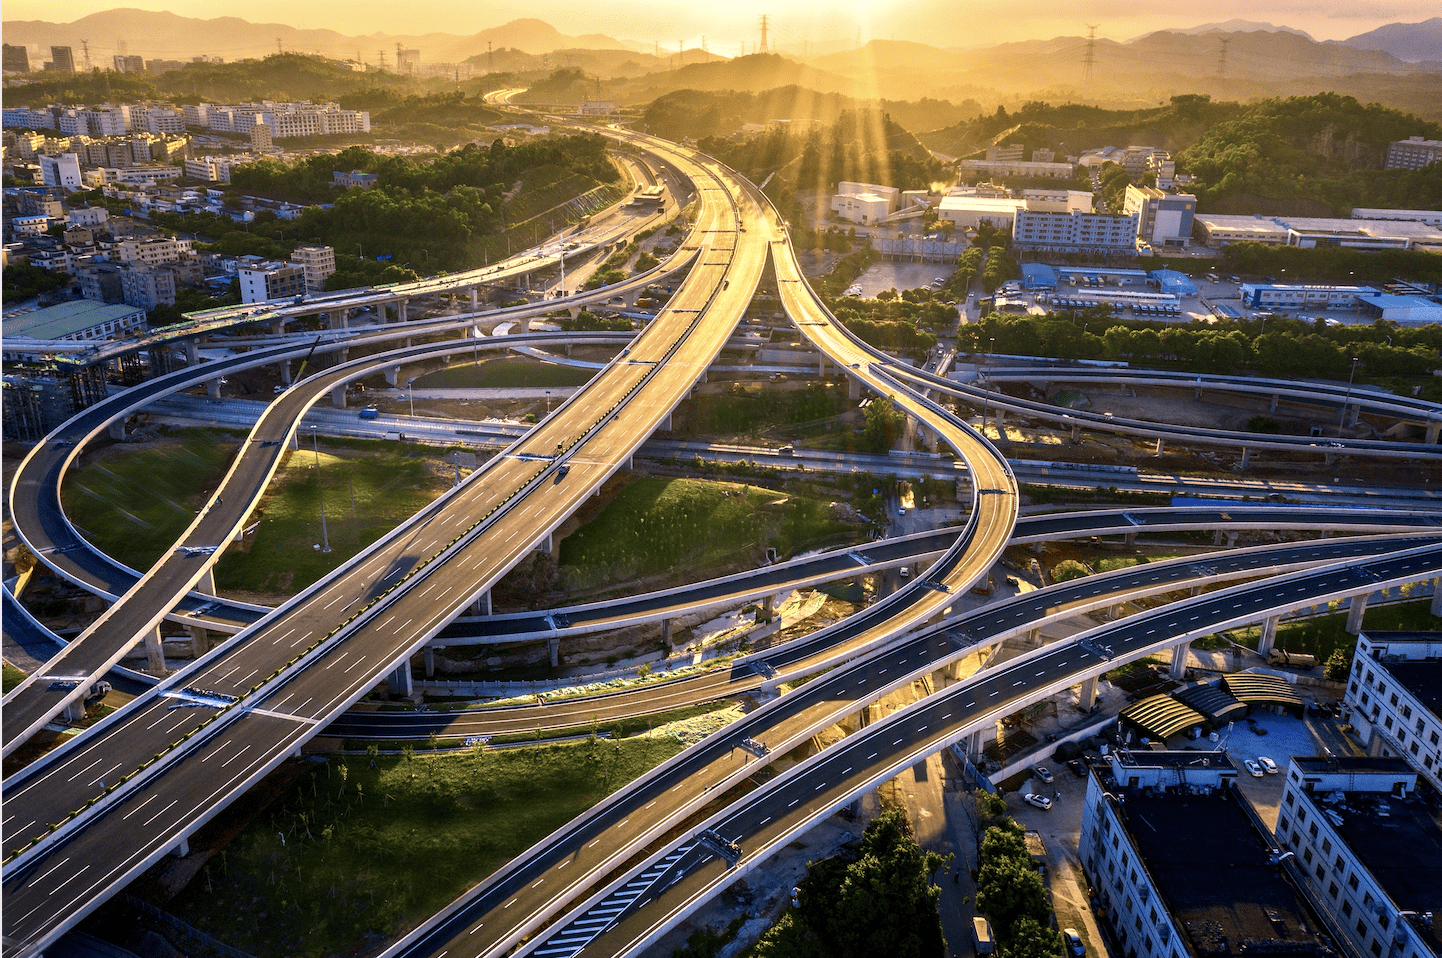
{"type": "Point", "coordinates": [390, 484]}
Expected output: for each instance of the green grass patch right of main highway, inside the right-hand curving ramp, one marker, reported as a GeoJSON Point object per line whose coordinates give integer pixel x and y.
{"type": "Point", "coordinates": [658, 526]}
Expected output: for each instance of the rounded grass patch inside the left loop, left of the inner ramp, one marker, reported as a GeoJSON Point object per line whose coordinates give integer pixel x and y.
{"type": "Point", "coordinates": [136, 503]}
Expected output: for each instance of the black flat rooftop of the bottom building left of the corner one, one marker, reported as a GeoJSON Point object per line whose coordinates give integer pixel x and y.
{"type": "Point", "coordinates": [1225, 894]}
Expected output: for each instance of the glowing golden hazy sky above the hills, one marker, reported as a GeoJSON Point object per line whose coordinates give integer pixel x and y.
{"type": "Point", "coordinates": [795, 22]}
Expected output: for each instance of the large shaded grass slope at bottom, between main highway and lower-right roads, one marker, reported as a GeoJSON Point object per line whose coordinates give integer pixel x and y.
{"type": "Point", "coordinates": [371, 852]}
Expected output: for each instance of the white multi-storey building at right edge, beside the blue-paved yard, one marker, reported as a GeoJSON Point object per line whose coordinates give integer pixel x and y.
{"type": "Point", "coordinates": [1395, 695]}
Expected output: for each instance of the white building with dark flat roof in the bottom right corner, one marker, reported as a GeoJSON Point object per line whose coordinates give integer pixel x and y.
{"type": "Point", "coordinates": [1368, 839]}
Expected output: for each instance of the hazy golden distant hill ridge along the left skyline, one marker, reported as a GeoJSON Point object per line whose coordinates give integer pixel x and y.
{"type": "Point", "coordinates": [169, 37]}
